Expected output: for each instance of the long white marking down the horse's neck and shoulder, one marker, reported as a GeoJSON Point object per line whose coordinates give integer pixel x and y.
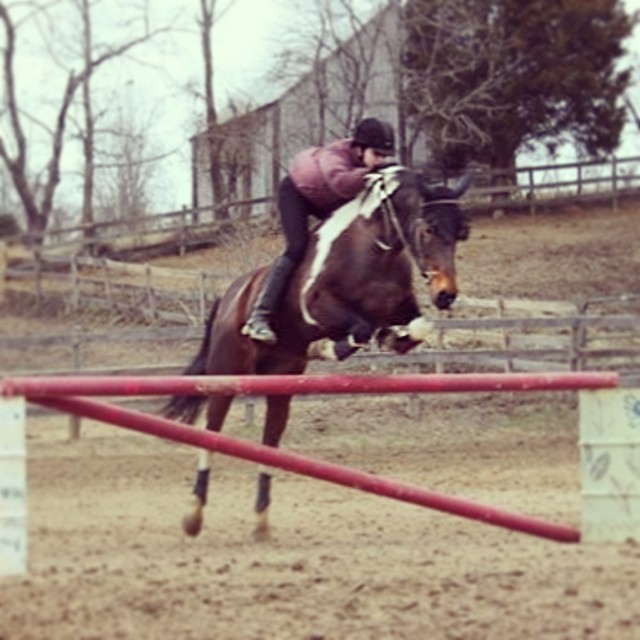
{"type": "Point", "coordinates": [381, 186]}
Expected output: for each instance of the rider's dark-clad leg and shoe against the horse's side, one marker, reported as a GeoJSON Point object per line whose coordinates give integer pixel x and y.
{"type": "Point", "coordinates": [293, 216]}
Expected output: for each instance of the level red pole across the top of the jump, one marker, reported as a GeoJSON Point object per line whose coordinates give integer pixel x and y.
{"type": "Point", "coordinates": [304, 384]}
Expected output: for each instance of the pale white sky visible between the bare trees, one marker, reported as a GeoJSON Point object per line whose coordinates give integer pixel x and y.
{"type": "Point", "coordinates": [151, 84]}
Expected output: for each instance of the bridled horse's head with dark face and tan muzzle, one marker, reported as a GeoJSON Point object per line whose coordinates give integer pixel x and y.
{"type": "Point", "coordinates": [432, 224]}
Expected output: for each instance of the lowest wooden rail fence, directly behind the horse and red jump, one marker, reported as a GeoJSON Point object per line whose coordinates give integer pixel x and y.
{"type": "Point", "coordinates": [551, 340]}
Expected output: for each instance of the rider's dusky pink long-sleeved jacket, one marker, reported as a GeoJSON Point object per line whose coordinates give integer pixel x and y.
{"type": "Point", "coordinates": [328, 176]}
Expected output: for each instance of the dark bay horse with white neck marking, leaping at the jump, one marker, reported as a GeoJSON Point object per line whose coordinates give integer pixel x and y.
{"type": "Point", "coordinates": [356, 280]}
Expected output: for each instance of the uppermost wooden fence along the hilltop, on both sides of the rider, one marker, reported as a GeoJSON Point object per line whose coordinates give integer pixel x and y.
{"type": "Point", "coordinates": [529, 188]}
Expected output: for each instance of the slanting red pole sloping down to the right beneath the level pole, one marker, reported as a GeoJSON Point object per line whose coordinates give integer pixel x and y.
{"type": "Point", "coordinates": [320, 470]}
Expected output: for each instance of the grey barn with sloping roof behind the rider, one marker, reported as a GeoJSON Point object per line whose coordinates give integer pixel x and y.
{"type": "Point", "coordinates": [359, 79]}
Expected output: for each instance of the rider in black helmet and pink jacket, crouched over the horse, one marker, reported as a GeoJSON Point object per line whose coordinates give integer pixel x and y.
{"type": "Point", "coordinates": [320, 180]}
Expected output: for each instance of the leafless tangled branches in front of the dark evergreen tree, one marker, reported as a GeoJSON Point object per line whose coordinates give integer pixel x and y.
{"type": "Point", "coordinates": [445, 45]}
